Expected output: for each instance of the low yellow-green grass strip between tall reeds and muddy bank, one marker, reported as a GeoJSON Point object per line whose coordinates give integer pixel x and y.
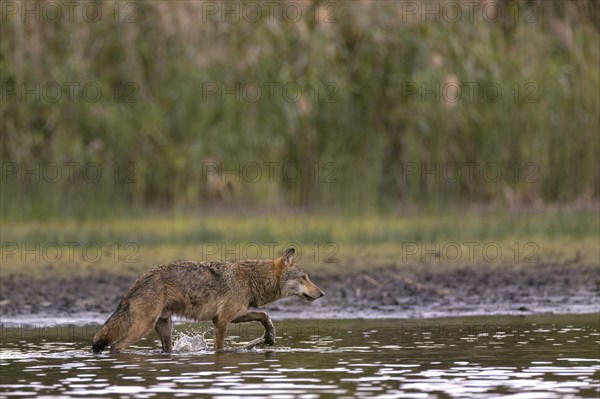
{"type": "Point", "coordinates": [331, 244]}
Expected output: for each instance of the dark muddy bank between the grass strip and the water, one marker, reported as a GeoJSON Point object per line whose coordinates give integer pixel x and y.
{"type": "Point", "coordinates": [391, 291]}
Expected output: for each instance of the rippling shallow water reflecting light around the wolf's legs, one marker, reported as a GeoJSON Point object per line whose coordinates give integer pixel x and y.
{"type": "Point", "coordinates": [474, 357]}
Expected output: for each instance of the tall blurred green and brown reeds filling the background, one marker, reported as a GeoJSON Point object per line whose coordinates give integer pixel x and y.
{"type": "Point", "coordinates": [351, 119]}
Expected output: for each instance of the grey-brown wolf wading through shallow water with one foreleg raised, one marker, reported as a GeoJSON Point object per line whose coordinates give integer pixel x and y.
{"type": "Point", "coordinates": [218, 291]}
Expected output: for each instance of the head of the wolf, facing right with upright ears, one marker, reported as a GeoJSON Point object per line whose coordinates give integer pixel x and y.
{"type": "Point", "coordinates": [294, 280]}
